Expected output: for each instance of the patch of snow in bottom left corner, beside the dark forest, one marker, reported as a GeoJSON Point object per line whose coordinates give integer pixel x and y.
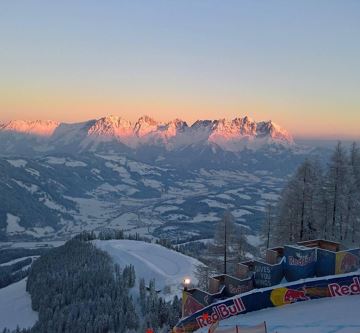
{"type": "Point", "coordinates": [15, 307]}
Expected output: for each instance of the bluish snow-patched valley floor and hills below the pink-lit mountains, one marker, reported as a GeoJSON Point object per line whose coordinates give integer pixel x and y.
{"type": "Point", "coordinates": [118, 192]}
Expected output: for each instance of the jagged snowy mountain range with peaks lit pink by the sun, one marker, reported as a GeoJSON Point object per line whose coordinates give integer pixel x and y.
{"type": "Point", "coordinates": [229, 135]}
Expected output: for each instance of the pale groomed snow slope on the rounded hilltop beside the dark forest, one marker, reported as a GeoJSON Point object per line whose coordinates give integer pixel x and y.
{"type": "Point", "coordinates": [152, 261]}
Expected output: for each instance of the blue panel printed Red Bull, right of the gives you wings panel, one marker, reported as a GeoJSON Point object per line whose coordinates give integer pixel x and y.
{"type": "Point", "coordinates": [300, 262]}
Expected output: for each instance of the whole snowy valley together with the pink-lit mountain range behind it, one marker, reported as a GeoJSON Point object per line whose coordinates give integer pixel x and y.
{"type": "Point", "coordinates": [157, 179]}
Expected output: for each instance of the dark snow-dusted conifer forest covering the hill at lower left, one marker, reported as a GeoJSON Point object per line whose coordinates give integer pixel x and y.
{"type": "Point", "coordinates": [77, 288]}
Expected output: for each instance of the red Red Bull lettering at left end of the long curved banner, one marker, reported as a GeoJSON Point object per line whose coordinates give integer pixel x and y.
{"type": "Point", "coordinates": [220, 312]}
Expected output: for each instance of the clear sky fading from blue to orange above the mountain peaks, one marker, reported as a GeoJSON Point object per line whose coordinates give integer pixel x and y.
{"type": "Point", "coordinates": [297, 63]}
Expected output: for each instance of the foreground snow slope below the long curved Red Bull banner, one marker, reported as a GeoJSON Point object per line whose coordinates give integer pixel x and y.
{"type": "Point", "coordinates": [326, 315]}
